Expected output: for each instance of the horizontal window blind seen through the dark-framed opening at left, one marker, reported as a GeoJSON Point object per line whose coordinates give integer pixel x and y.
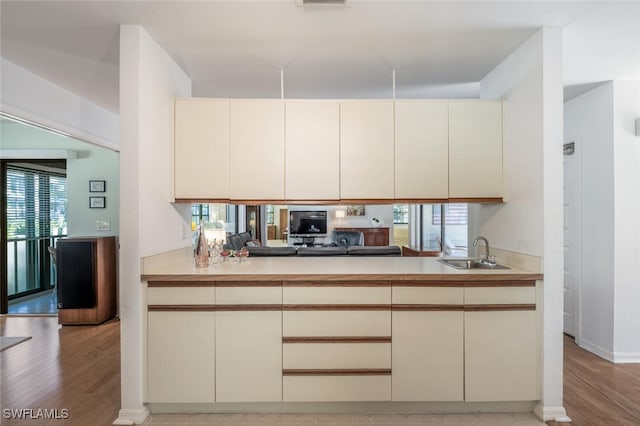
{"type": "Point", "coordinates": [36, 203]}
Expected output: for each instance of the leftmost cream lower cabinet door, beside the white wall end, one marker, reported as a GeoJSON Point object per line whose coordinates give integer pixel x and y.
{"type": "Point", "coordinates": [180, 357]}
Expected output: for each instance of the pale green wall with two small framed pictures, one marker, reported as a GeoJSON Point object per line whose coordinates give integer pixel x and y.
{"type": "Point", "coordinates": [94, 162]}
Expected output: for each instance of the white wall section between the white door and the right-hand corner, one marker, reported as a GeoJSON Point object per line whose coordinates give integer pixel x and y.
{"type": "Point", "coordinates": [589, 123]}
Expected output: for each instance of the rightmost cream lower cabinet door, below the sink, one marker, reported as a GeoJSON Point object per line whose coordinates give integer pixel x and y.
{"type": "Point", "coordinates": [501, 356]}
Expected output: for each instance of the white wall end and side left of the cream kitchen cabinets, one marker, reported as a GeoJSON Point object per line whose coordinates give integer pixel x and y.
{"type": "Point", "coordinates": [149, 79]}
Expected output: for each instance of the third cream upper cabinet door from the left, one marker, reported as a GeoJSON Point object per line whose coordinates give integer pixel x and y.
{"type": "Point", "coordinates": [312, 150]}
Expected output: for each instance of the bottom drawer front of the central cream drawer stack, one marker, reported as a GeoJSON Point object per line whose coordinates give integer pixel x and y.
{"type": "Point", "coordinates": [336, 388]}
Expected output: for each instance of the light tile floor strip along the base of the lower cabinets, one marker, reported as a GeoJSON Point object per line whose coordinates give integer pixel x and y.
{"type": "Point", "coordinates": [519, 419]}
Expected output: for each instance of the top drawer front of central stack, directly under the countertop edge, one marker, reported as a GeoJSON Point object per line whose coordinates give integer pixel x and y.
{"type": "Point", "coordinates": [336, 295]}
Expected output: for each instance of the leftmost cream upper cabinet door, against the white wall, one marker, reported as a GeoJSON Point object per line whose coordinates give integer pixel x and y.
{"type": "Point", "coordinates": [201, 148]}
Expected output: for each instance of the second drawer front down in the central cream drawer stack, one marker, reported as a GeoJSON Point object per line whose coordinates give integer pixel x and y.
{"type": "Point", "coordinates": [336, 323]}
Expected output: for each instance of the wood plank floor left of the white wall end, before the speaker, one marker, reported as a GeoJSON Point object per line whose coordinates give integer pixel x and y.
{"type": "Point", "coordinates": [72, 367]}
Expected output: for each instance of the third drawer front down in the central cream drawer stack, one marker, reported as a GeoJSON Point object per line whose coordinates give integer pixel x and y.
{"type": "Point", "coordinates": [336, 355]}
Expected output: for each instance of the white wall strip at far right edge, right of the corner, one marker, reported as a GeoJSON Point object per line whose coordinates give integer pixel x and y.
{"type": "Point", "coordinates": [626, 97]}
